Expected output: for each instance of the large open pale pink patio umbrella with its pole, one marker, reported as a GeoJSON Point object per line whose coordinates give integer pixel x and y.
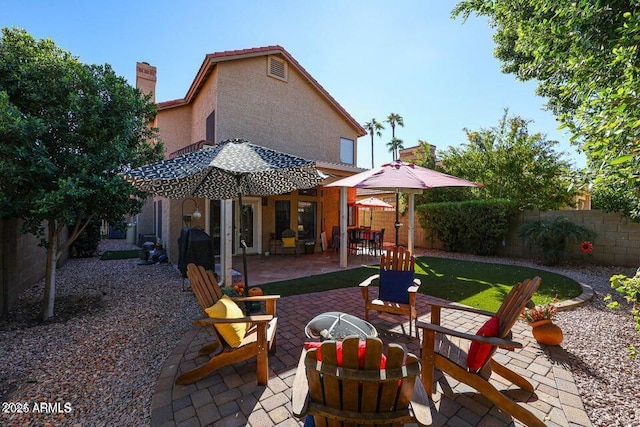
{"type": "Point", "coordinates": [399, 176]}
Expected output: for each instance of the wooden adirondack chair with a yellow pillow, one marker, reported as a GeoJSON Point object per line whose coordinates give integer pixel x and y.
{"type": "Point", "coordinates": [257, 342]}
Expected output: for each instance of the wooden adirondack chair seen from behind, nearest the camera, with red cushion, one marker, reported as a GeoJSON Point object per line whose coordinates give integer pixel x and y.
{"type": "Point", "coordinates": [366, 387]}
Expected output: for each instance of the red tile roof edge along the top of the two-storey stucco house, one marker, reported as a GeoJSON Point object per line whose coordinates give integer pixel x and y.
{"type": "Point", "coordinates": [213, 58]}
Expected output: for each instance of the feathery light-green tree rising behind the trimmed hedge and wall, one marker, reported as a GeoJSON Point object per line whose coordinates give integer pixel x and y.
{"type": "Point", "coordinates": [512, 163]}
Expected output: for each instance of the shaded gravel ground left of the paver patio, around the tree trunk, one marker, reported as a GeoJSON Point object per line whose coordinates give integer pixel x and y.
{"type": "Point", "coordinates": [116, 323]}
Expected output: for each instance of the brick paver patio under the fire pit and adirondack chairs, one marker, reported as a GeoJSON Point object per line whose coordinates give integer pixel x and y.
{"type": "Point", "coordinates": [231, 396]}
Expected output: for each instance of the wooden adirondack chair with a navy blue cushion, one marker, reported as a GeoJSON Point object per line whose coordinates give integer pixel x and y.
{"type": "Point", "coordinates": [397, 287]}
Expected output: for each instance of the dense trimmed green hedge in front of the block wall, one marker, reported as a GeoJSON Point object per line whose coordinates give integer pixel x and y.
{"type": "Point", "coordinates": [474, 226]}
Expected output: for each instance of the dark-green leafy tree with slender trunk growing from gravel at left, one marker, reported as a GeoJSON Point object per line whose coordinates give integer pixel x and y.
{"type": "Point", "coordinates": [66, 130]}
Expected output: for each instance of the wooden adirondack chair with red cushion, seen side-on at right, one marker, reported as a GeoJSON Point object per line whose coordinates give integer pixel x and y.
{"type": "Point", "coordinates": [446, 349]}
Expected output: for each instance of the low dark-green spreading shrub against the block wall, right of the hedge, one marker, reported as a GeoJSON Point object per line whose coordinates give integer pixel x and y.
{"type": "Point", "coordinates": [550, 236]}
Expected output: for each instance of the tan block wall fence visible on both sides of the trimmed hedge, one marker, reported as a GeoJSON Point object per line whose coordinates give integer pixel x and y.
{"type": "Point", "coordinates": [617, 242]}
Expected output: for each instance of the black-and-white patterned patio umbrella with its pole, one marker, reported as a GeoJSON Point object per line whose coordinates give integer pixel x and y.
{"type": "Point", "coordinates": [230, 169]}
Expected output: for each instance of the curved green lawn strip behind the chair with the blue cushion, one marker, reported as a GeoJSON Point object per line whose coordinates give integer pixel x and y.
{"type": "Point", "coordinates": [477, 284]}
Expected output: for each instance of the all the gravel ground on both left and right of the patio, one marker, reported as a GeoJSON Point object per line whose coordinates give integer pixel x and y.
{"type": "Point", "coordinates": [116, 322]}
